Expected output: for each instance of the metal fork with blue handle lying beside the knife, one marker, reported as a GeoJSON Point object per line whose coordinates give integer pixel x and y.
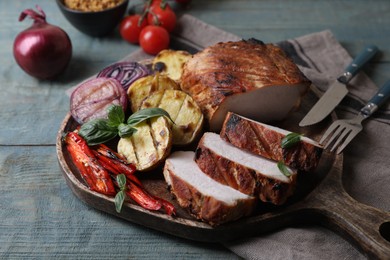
{"type": "Point", "coordinates": [341, 132]}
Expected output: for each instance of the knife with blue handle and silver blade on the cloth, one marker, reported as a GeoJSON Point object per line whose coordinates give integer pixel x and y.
{"type": "Point", "coordinates": [338, 90]}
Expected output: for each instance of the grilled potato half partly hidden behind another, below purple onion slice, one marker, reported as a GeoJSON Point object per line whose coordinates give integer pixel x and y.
{"type": "Point", "coordinates": [143, 87]}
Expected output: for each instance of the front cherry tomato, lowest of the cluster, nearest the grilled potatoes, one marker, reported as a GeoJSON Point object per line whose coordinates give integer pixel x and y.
{"type": "Point", "coordinates": [154, 39]}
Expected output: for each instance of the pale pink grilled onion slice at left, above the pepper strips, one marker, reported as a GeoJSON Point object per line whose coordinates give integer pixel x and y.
{"type": "Point", "coordinates": [92, 98]}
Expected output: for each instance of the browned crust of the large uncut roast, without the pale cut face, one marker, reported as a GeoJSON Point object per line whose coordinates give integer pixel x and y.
{"type": "Point", "coordinates": [231, 68]}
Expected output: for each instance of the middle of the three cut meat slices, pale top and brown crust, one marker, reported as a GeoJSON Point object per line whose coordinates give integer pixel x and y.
{"type": "Point", "coordinates": [244, 171]}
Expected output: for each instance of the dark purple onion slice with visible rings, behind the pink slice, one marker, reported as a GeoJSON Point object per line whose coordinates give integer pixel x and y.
{"type": "Point", "coordinates": [125, 72]}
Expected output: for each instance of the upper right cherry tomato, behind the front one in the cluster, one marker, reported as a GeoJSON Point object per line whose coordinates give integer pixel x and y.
{"type": "Point", "coordinates": [165, 17]}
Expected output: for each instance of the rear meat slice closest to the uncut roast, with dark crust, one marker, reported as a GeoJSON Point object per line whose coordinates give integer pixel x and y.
{"type": "Point", "coordinates": [265, 140]}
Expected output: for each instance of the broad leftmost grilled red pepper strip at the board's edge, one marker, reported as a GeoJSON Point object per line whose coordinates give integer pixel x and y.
{"type": "Point", "coordinates": [92, 172]}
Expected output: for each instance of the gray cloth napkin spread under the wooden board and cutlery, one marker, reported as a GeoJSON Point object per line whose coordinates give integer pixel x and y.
{"type": "Point", "coordinates": [366, 177]}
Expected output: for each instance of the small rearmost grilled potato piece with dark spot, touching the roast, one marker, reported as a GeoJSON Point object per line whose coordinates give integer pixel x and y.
{"type": "Point", "coordinates": [171, 62]}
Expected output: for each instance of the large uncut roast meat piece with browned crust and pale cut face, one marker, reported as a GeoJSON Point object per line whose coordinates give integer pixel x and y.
{"type": "Point", "coordinates": [250, 78]}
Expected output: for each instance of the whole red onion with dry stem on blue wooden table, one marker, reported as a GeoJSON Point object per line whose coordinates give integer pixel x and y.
{"type": "Point", "coordinates": [42, 50]}
